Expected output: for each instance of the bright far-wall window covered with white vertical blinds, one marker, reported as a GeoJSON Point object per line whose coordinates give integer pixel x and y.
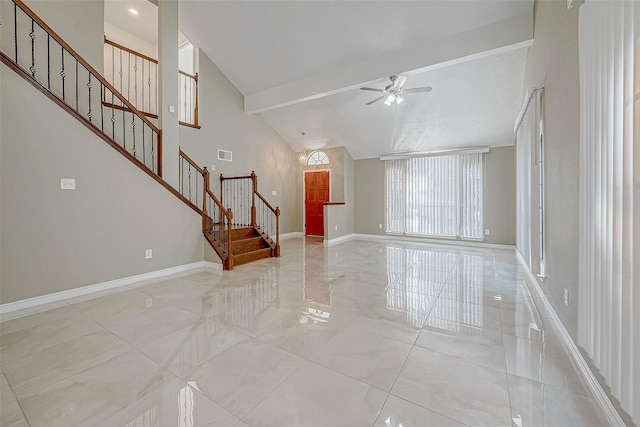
{"type": "Point", "coordinates": [435, 196]}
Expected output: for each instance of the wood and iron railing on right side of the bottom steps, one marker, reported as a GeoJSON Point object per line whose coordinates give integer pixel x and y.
{"type": "Point", "coordinates": [251, 208]}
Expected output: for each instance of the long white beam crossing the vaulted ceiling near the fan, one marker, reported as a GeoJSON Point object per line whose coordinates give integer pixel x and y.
{"type": "Point", "coordinates": [499, 37]}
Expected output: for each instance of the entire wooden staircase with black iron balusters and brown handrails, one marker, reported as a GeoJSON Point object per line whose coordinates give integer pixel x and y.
{"type": "Point", "coordinates": [240, 233]}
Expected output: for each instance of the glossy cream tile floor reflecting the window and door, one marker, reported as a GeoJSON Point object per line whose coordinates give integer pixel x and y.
{"type": "Point", "coordinates": [360, 334]}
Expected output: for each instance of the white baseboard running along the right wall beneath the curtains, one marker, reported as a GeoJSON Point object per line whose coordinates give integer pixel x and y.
{"type": "Point", "coordinates": [599, 394]}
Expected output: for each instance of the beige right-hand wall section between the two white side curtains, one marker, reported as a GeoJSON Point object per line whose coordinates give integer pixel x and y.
{"type": "Point", "coordinates": [553, 62]}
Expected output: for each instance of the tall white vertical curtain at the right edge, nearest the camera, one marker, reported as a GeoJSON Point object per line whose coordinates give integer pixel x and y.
{"type": "Point", "coordinates": [609, 301]}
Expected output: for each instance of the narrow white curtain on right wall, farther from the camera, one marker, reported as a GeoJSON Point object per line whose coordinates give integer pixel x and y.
{"type": "Point", "coordinates": [528, 180]}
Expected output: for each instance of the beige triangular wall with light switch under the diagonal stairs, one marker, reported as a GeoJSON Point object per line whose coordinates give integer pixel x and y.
{"type": "Point", "coordinates": [54, 240]}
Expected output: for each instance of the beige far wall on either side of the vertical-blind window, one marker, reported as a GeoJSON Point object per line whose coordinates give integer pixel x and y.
{"type": "Point", "coordinates": [498, 192]}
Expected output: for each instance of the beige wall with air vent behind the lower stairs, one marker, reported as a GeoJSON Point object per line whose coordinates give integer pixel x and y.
{"type": "Point", "coordinates": [255, 145]}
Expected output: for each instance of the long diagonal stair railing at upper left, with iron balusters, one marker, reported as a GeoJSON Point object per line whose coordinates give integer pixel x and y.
{"type": "Point", "coordinates": [31, 47]}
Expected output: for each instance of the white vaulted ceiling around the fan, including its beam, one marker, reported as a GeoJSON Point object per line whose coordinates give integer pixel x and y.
{"type": "Point", "coordinates": [300, 64]}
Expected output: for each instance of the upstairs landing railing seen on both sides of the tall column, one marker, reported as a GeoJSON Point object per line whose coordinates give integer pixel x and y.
{"type": "Point", "coordinates": [136, 76]}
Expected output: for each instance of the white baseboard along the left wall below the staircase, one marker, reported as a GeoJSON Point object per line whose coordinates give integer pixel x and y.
{"type": "Point", "coordinates": [25, 307]}
